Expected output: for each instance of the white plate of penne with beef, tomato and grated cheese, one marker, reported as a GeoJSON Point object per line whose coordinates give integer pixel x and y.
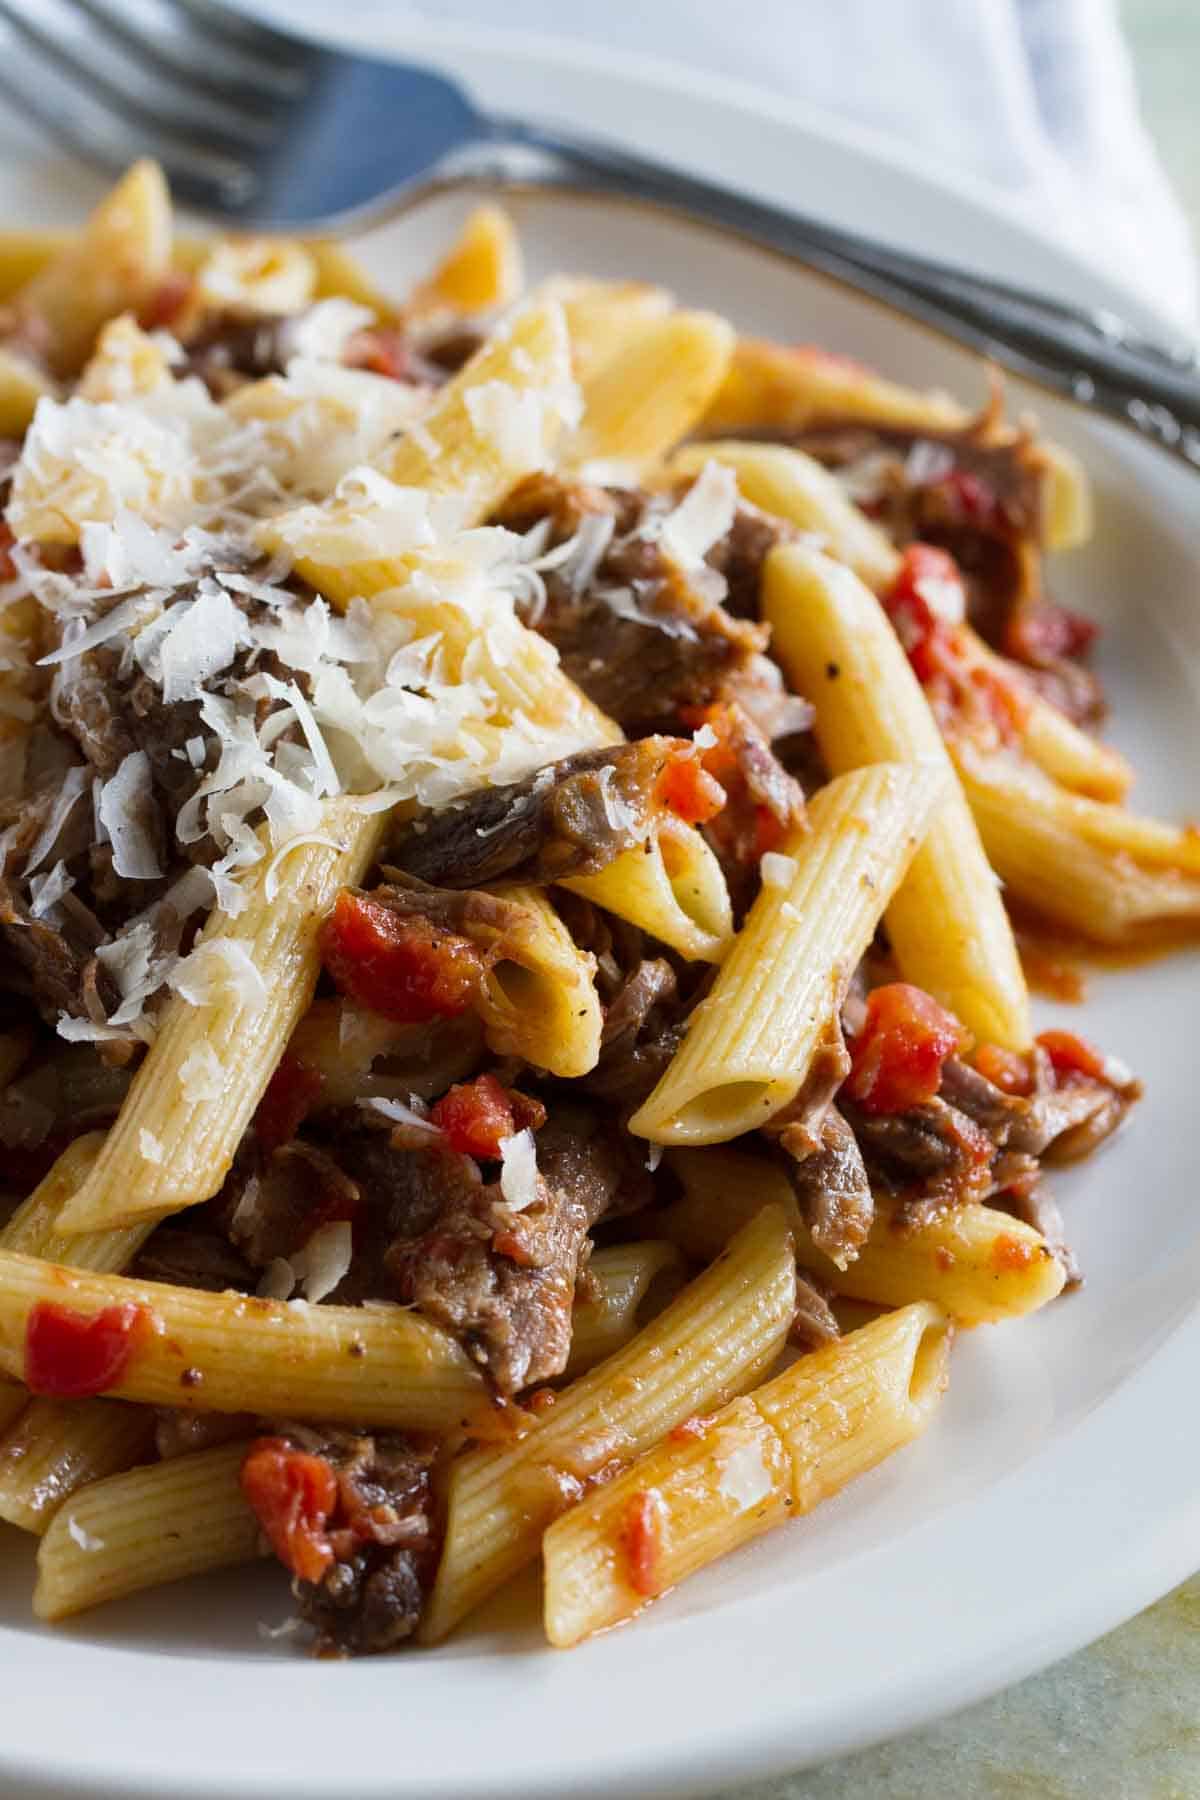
{"type": "Point", "coordinates": [542, 768]}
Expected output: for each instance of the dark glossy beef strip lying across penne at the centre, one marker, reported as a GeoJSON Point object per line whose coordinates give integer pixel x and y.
{"type": "Point", "coordinates": [571, 818]}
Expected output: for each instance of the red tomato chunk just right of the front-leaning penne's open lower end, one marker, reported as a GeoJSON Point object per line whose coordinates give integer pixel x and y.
{"type": "Point", "coordinates": [897, 1057]}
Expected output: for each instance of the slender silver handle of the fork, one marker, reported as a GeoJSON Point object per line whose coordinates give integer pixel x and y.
{"type": "Point", "coordinates": [1089, 357]}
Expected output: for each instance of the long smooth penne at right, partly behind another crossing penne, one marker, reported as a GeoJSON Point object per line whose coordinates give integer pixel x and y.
{"type": "Point", "coordinates": [947, 922]}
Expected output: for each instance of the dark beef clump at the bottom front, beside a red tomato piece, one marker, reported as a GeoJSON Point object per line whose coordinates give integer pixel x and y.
{"type": "Point", "coordinates": [384, 1536]}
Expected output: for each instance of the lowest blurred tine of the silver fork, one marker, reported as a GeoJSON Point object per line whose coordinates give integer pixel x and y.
{"type": "Point", "coordinates": [199, 177]}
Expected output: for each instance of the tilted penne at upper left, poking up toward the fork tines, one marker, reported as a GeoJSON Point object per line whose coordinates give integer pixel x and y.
{"type": "Point", "coordinates": [112, 267]}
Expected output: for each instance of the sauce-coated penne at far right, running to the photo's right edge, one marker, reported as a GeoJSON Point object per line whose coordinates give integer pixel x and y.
{"type": "Point", "coordinates": [1050, 865]}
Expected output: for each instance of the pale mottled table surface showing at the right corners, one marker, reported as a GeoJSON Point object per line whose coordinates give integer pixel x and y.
{"type": "Point", "coordinates": [1120, 1720]}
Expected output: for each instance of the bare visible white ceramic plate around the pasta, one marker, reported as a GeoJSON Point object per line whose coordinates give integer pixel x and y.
{"type": "Point", "coordinates": [1059, 1491]}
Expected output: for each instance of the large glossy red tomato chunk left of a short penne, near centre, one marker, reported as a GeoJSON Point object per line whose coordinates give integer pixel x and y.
{"type": "Point", "coordinates": [399, 966]}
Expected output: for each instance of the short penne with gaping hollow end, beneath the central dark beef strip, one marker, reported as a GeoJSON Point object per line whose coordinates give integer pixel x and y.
{"type": "Point", "coordinates": [672, 886]}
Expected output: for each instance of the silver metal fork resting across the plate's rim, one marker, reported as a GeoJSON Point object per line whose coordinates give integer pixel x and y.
{"type": "Point", "coordinates": [265, 129]}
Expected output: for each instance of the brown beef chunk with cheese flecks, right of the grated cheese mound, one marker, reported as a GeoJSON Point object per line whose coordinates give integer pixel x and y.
{"type": "Point", "coordinates": [640, 640]}
